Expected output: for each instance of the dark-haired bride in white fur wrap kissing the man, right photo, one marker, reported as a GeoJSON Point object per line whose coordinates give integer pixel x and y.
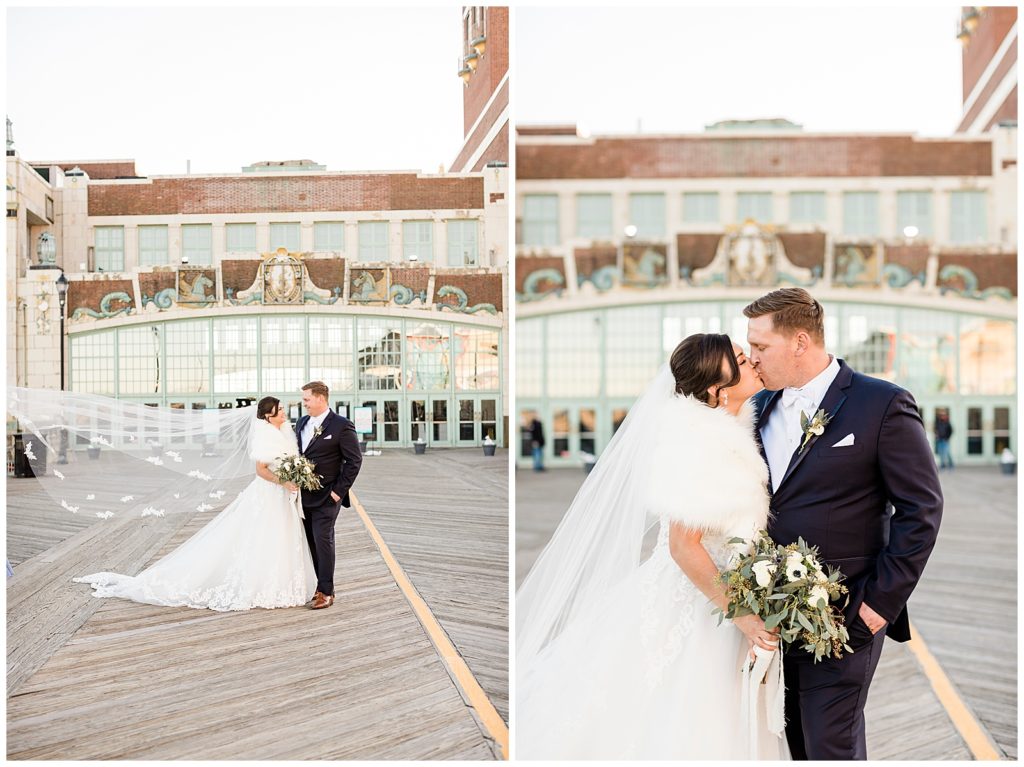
{"type": "Point", "coordinates": [621, 657]}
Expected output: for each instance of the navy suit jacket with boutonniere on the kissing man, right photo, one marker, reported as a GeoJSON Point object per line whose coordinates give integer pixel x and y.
{"type": "Point", "coordinates": [873, 508]}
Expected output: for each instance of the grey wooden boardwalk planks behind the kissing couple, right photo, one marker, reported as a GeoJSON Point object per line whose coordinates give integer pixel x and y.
{"type": "Point", "coordinates": [965, 610]}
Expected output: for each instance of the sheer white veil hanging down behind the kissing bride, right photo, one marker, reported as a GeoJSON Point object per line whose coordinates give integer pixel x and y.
{"type": "Point", "coordinates": [600, 540]}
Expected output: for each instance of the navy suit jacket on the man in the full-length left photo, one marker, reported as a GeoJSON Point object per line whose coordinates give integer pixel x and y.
{"type": "Point", "coordinates": [337, 457]}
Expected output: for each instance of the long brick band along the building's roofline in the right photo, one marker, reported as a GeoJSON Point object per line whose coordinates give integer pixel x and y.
{"type": "Point", "coordinates": [700, 157]}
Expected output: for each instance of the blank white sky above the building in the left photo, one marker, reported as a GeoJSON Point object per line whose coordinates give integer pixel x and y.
{"type": "Point", "coordinates": [351, 89]}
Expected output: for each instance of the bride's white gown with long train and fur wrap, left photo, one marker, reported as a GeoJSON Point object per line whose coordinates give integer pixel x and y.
{"type": "Point", "coordinates": [252, 555]}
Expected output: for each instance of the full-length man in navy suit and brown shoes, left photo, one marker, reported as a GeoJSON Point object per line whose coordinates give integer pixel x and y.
{"type": "Point", "coordinates": [330, 442]}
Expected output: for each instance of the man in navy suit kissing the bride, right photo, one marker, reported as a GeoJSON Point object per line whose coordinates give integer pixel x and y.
{"type": "Point", "coordinates": [866, 492]}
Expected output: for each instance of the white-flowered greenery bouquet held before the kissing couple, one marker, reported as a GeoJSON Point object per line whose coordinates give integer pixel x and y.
{"type": "Point", "coordinates": [787, 587]}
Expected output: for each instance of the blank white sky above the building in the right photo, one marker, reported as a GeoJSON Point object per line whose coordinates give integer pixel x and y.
{"type": "Point", "coordinates": [830, 69]}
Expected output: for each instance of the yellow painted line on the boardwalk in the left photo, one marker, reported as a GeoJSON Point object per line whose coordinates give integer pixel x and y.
{"type": "Point", "coordinates": [457, 666]}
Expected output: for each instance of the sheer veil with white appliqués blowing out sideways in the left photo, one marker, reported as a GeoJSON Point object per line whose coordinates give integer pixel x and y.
{"type": "Point", "coordinates": [111, 458]}
